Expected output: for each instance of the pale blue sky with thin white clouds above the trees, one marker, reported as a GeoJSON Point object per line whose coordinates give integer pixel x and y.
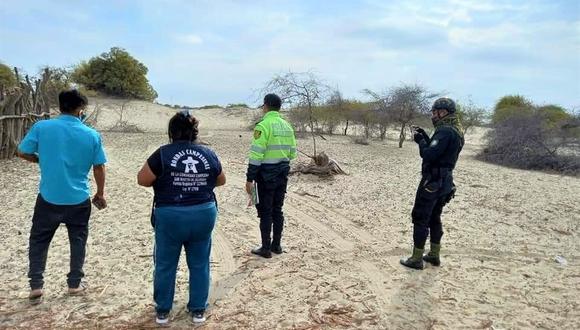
{"type": "Point", "coordinates": [202, 52]}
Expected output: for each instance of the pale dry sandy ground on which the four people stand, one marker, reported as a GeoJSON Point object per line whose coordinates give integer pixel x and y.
{"type": "Point", "coordinates": [343, 239]}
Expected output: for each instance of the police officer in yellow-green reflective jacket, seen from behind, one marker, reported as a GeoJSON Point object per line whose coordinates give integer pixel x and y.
{"type": "Point", "coordinates": [273, 146]}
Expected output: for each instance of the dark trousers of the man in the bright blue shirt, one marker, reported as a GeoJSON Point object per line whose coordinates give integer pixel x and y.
{"type": "Point", "coordinates": [45, 221]}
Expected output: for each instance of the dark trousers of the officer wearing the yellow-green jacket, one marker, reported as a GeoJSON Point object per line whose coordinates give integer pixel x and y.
{"type": "Point", "coordinates": [271, 193]}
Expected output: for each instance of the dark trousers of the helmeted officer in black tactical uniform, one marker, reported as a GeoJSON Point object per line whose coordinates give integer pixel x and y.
{"type": "Point", "coordinates": [426, 215]}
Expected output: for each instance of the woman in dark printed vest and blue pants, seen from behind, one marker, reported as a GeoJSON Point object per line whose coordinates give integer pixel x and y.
{"type": "Point", "coordinates": [183, 175]}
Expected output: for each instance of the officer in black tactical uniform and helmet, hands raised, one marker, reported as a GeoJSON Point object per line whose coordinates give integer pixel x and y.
{"type": "Point", "coordinates": [439, 154]}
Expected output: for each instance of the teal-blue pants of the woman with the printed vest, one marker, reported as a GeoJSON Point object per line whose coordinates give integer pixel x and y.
{"type": "Point", "coordinates": [191, 227]}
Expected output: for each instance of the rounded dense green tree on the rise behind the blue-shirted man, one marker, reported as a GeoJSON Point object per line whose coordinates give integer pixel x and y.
{"type": "Point", "coordinates": [115, 73]}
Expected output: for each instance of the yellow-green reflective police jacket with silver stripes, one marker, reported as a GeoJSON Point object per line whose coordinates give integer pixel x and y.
{"type": "Point", "coordinates": [274, 141]}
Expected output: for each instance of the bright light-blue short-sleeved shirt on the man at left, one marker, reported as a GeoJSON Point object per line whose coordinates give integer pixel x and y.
{"type": "Point", "coordinates": [66, 149]}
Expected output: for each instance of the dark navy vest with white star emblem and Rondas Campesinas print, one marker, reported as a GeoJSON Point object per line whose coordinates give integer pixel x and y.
{"type": "Point", "coordinates": [186, 174]}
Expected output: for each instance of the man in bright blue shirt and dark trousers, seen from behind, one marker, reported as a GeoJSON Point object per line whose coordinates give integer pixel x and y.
{"type": "Point", "coordinates": [65, 149]}
